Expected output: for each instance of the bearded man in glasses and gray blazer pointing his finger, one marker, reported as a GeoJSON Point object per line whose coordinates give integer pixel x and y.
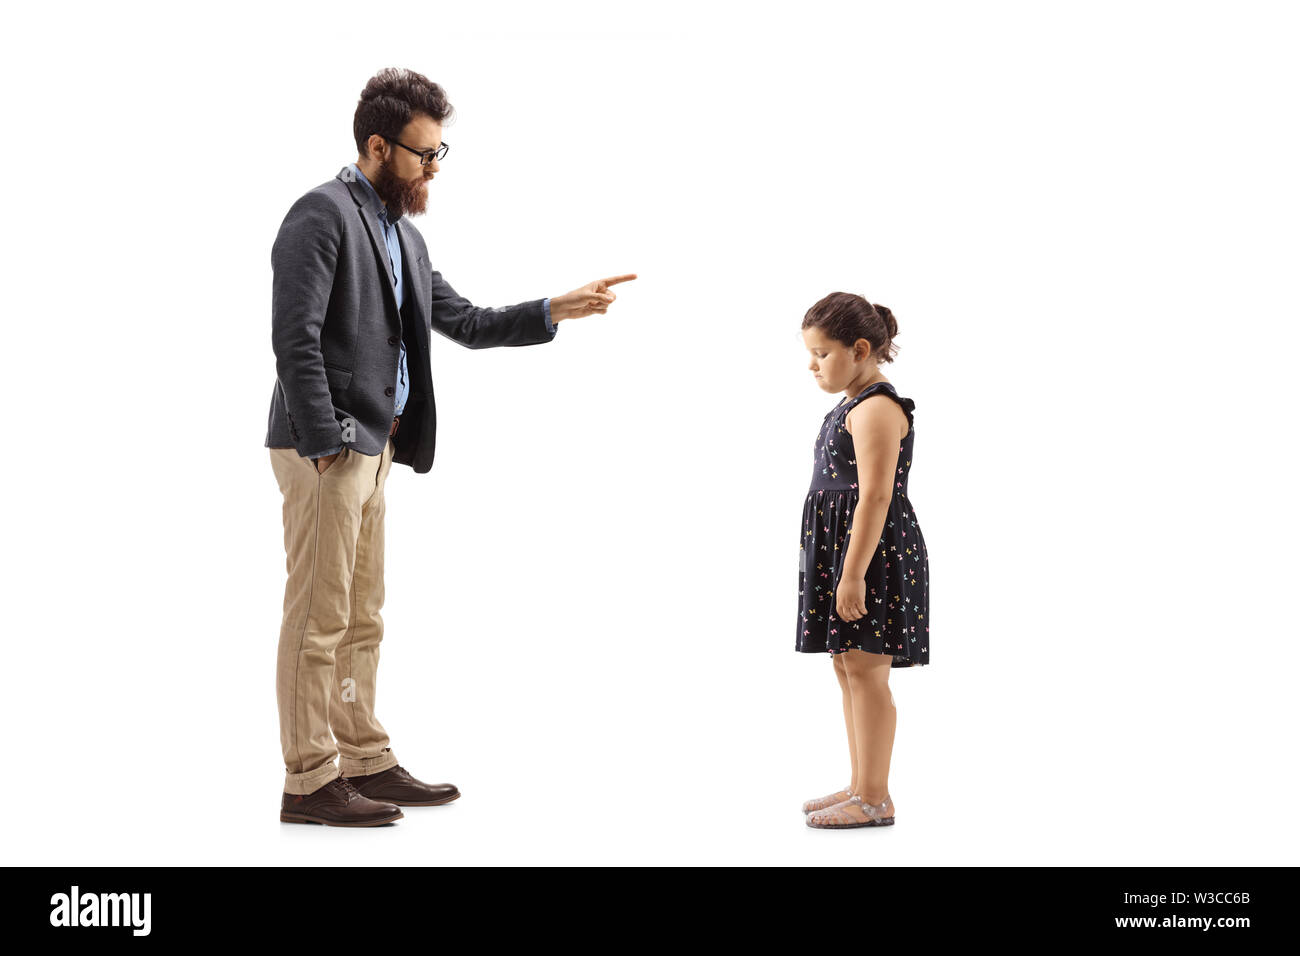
{"type": "Point", "coordinates": [354, 301]}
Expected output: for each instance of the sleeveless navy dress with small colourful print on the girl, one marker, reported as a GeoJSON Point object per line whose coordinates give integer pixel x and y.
{"type": "Point", "coordinates": [898, 618]}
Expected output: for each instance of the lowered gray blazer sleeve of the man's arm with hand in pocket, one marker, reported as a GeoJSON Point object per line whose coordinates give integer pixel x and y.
{"type": "Point", "coordinates": [304, 261]}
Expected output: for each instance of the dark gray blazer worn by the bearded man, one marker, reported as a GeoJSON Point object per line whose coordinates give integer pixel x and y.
{"type": "Point", "coordinates": [336, 326]}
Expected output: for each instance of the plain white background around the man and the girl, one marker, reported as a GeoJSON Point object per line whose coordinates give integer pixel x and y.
{"type": "Point", "coordinates": [1085, 219]}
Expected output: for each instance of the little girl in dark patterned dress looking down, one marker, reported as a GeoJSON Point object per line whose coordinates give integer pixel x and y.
{"type": "Point", "coordinates": [864, 598]}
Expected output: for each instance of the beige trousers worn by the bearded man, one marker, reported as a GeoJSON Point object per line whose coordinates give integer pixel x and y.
{"type": "Point", "coordinates": [331, 633]}
